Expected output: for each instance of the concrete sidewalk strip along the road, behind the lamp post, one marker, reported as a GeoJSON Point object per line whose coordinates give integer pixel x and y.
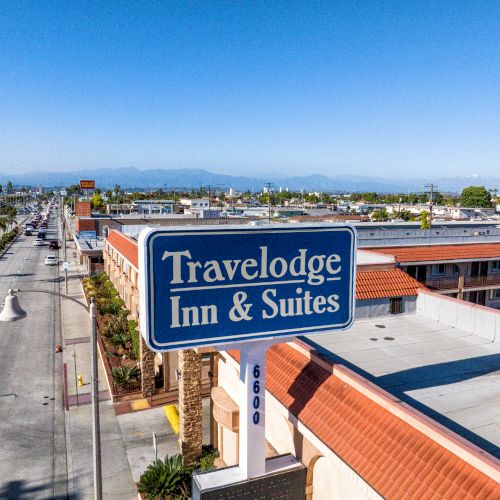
{"type": "Point", "coordinates": [116, 474]}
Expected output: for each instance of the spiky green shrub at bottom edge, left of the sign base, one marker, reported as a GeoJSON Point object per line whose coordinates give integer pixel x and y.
{"type": "Point", "coordinates": [164, 479]}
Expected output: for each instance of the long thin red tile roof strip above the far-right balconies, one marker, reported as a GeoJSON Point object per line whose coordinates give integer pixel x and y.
{"type": "Point", "coordinates": [426, 253]}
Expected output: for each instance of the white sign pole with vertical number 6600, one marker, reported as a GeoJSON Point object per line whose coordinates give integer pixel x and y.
{"type": "Point", "coordinates": [252, 437]}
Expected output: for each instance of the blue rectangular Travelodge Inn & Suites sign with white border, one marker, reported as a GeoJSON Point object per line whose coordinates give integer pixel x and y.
{"type": "Point", "coordinates": [211, 286]}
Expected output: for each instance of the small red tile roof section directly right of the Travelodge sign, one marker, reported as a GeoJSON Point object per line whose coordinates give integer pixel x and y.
{"type": "Point", "coordinates": [389, 283]}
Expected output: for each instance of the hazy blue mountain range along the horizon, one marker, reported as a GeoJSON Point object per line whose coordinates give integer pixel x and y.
{"type": "Point", "coordinates": [131, 177]}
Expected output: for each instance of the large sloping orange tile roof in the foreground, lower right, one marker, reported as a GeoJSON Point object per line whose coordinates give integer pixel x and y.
{"type": "Point", "coordinates": [390, 454]}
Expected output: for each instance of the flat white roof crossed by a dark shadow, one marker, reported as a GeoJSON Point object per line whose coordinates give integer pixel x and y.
{"type": "Point", "coordinates": [449, 374]}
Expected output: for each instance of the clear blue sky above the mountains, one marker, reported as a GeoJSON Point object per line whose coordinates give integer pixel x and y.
{"type": "Point", "coordinates": [389, 89]}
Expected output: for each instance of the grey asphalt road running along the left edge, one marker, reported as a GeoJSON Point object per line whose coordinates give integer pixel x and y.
{"type": "Point", "coordinates": [32, 431]}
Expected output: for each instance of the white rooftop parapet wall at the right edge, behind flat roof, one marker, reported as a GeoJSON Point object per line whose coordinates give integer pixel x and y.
{"type": "Point", "coordinates": [479, 320]}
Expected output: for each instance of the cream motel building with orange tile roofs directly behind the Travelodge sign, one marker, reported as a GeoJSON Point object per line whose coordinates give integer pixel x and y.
{"type": "Point", "coordinates": [404, 404]}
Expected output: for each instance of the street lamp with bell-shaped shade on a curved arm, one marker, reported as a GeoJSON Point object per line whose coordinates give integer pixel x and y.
{"type": "Point", "coordinates": [12, 311]}
